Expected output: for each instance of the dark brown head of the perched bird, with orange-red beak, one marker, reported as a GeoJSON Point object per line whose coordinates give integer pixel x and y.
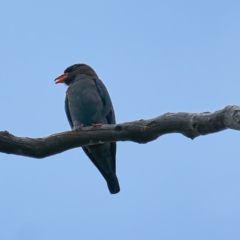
{"type": "Point", "coordinates": [69, 74]}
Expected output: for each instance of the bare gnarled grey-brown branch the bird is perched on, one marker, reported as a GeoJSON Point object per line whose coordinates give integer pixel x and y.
{"type": "Point", "coordinates": [190, 125]}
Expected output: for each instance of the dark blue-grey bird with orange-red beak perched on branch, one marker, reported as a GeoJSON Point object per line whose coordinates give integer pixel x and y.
{"type": "Point", "coordinates": [88, 103]}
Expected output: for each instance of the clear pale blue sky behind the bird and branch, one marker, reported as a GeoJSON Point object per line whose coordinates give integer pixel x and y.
{"type": "Point", "coordinates": [154, 57]}
